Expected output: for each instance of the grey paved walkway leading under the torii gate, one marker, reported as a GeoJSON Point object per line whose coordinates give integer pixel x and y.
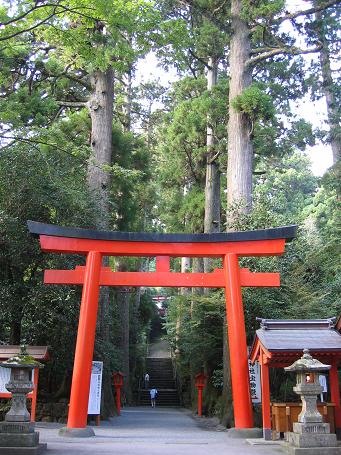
{"type": "Point", "coordinates": [159, 431]}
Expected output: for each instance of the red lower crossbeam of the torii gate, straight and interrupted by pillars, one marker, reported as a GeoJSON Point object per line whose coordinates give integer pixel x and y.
{"type": "Point", "coordinates": [164, 279]}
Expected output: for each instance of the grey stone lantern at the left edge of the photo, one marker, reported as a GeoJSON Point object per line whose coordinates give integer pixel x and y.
{"type": "Point", "coordinates": [17, 430]}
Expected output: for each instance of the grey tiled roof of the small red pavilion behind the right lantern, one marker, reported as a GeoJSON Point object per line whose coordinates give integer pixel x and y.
{"type": "Point", "coordinates": [281, 339]}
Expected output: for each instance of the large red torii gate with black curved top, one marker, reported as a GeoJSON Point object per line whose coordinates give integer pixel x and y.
{"type": "Point", "coordinates": [96, 244]}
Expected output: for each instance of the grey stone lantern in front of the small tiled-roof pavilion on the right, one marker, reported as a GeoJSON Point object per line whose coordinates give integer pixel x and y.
{"type": "Point", "coordinates": [310, 434]}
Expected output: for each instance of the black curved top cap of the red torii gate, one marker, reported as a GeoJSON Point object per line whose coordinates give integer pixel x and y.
{"type": "Point", "coordinates": [283, 232]}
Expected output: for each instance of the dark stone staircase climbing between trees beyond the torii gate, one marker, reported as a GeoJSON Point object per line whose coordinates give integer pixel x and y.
{"type": "Point", "coordinates": [160, 371]}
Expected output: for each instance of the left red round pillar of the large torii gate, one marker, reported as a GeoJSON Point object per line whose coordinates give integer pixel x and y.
{"type": "Point", "coordinates": [79, 398]}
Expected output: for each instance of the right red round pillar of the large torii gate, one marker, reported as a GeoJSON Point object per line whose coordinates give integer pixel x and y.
{"type": "Point", "coordinates": [237, 344]}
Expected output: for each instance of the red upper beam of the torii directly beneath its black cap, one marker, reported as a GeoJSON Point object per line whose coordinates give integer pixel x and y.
{"type": "Point", "coordinates": [150, 249]}
